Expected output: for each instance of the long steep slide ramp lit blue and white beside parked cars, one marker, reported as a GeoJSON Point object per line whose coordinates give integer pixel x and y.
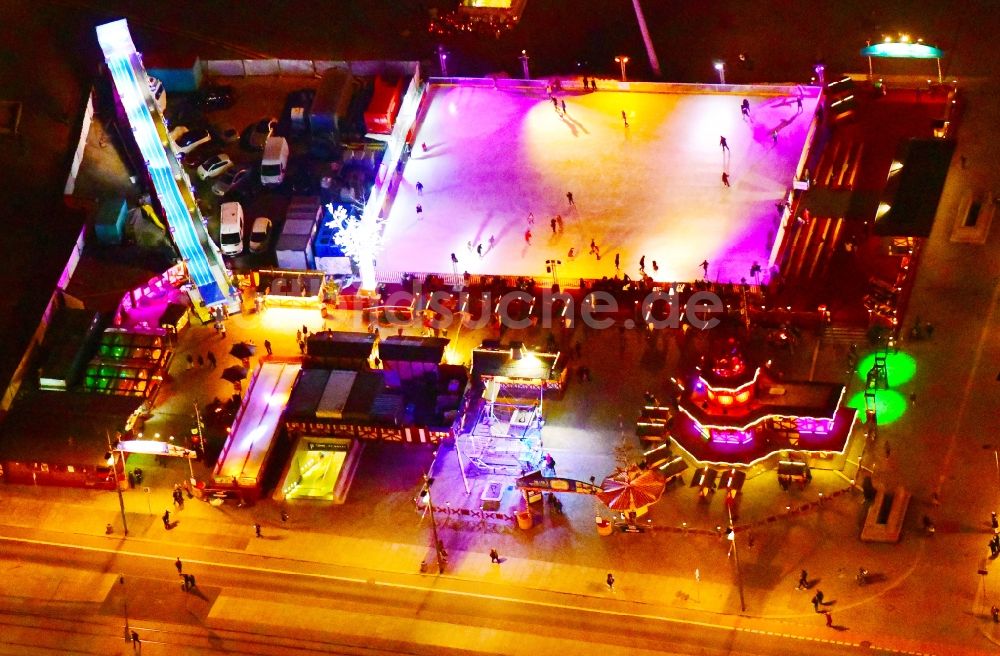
{"type": "Point", "coordinates": [204, 262]}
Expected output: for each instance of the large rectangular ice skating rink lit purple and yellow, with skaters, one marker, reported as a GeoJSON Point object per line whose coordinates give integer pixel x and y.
{"type": "Point", "coordinates": [651, 189]}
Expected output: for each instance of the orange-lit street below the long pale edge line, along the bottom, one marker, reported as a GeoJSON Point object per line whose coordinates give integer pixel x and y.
{"type": "Point", "coordinates": [175, 622]}
